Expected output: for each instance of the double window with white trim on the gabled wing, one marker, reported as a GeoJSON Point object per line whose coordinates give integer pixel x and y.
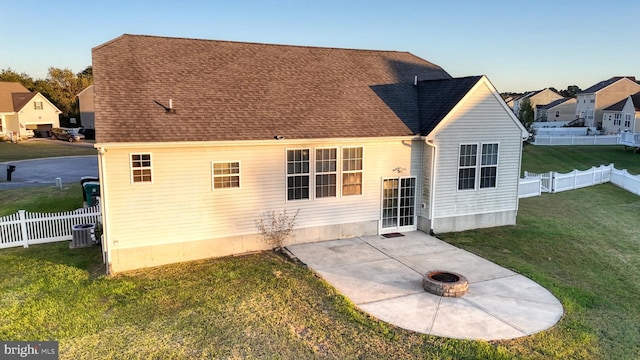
{"type": "Point", "coordinates": [470, 165]}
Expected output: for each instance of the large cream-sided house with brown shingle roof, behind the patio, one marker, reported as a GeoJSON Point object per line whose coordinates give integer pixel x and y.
{"type": "Point", "coordinates": [200, 139]}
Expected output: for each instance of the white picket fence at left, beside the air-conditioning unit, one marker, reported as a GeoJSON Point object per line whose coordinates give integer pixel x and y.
{"type": "Point", "coordinates": [25, 228]}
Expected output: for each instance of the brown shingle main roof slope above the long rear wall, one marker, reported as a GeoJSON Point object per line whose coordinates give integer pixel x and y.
{"type": "Point", "coordinates": [225, 90]}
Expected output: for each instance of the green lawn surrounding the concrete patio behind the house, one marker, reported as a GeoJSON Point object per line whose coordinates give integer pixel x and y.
{"type": "Point", "coordinates": [582, 245]}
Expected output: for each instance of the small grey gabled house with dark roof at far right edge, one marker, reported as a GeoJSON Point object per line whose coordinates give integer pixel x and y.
{"type": "Point", "coordinates": [622, 116]}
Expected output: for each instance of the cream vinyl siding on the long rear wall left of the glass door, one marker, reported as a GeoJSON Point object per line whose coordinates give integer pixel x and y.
{"type": "Point", "coordinates": [179, 204]}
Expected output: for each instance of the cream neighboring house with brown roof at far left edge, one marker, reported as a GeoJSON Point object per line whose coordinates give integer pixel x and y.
{"type": "Point", "coordinates": [22, 110]}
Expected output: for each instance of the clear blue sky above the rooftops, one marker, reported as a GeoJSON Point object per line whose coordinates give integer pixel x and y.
{"type": "Point", "coordinates": [519, 45]}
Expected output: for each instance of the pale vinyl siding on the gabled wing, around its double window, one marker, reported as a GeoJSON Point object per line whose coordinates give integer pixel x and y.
{"type": "Point", "coordinates": [479, 119]}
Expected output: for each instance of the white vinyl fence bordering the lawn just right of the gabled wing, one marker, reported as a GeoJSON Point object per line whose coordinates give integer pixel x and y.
{"type": "Point", "coordinates": [553, 182]}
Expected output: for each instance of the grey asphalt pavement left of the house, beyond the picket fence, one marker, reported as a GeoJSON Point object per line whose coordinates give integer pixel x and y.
{"type": "Point", "coordinates": [38, 172]}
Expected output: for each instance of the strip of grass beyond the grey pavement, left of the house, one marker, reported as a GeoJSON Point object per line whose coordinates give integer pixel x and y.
{"type": "Point", "coordinates": [35, 148]}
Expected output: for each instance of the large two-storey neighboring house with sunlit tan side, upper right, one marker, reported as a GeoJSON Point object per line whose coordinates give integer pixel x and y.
{"type": "Point", "coordinates": [592, 101]}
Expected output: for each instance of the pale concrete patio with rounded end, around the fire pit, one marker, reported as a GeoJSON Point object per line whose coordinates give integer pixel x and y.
{"type": "Point", "coordinates": [383, 277]}
